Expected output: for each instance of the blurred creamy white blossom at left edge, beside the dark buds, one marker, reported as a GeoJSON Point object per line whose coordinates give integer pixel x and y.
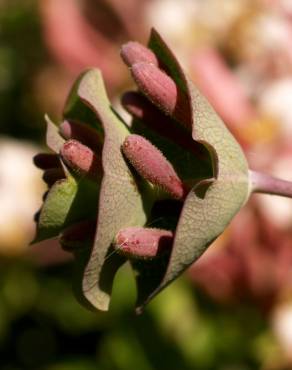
{"type": "Point", "coordinates": [21, 191]}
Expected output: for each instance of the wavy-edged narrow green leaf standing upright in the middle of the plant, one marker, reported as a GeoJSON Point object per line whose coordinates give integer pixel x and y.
{"type": "Point", "coordinates": [120, 202]}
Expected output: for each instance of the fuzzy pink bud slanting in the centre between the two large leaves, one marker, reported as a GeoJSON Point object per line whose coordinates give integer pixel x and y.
{"type": "Point", "coordinates": [150, 163]}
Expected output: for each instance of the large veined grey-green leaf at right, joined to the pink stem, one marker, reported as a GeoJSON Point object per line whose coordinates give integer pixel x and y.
{"type": "Point", "coordinates": [213, 202]}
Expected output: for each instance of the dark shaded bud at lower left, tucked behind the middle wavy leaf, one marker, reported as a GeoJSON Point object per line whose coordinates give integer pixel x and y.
{"type": "Point", "coordinates": [78, 235]}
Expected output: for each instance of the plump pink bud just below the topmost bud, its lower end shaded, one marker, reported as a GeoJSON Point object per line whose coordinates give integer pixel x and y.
{"type": "Point", "coordinates": [162, 91]}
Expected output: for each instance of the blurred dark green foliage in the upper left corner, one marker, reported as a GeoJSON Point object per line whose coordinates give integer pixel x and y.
{"type": "Point", "coordinates": [22, 54]}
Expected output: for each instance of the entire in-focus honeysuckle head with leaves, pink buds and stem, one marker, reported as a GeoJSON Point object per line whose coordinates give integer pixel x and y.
{"type": "Point", "coordinates": [156, 192]}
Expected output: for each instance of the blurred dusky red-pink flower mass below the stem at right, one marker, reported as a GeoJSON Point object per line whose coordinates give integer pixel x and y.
{"type": "Point", "coordinates": [255, 265]}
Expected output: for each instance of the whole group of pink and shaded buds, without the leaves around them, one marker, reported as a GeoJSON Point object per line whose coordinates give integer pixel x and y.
{"type": "Point", "coordinates": [162, 106]}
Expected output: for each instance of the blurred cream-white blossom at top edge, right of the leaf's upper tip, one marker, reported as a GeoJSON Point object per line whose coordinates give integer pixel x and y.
{"type": "Point", "coordinates": [186, 22]}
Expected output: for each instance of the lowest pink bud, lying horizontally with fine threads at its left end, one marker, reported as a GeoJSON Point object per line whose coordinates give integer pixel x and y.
{"type": "Point", "coordinates": [145, 243]}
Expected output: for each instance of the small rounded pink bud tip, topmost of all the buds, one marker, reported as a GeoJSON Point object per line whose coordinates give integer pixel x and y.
{"type": "Point", "coordinates": [133, 52]}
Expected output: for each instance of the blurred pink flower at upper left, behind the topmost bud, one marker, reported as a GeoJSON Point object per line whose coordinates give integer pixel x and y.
{"type": "Point", "coordinates": [78, 43]}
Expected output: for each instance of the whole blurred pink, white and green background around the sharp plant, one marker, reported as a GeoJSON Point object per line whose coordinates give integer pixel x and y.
{"type": "Point", "coordinates": [232, 310]}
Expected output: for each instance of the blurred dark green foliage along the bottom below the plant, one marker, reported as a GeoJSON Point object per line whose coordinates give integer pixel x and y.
{"type": "Point", "coordinates": [43, 327]}
